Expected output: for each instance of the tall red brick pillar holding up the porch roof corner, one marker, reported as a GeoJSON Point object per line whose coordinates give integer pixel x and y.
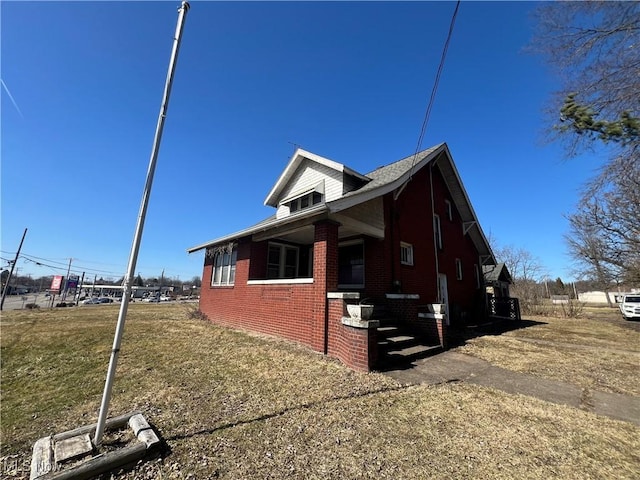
{"type": "Point", "coordinates": [325, 278]}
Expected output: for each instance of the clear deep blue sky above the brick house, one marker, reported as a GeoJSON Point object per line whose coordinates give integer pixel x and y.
{"type": "Point", "coordinates": [348, 81]}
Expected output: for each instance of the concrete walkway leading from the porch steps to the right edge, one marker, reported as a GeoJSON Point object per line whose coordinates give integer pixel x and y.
{"type": "Point", "coordinates": [453, 366]}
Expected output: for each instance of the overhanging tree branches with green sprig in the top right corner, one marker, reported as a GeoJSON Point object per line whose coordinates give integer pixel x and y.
{"type": "Point", "coordinates": [594, 46]}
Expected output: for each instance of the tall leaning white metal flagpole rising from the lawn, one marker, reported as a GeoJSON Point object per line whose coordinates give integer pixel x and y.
{"type": "Point", "coordinates": [106, 397]}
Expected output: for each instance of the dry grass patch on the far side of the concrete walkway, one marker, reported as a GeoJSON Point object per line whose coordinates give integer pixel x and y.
{"type": "Point", "coordinates": [591, 353]}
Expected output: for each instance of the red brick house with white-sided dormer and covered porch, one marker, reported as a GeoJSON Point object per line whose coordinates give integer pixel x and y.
{"type": "Point", "coordinates": [401, 238]}
